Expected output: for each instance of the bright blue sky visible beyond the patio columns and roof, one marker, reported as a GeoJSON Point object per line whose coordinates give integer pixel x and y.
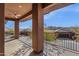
{"type": "Point", "coordinates": [64, 17]}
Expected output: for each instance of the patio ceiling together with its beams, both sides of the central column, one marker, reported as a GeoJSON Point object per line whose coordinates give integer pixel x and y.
{"type": "Point", "coordinates": [23, 11]}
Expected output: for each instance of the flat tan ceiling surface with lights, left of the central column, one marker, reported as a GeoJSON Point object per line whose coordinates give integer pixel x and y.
{"type": "Point", "coordinates": [16, 10]}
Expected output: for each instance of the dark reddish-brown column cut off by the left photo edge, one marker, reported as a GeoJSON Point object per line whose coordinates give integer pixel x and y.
{"type": "Point", "coordinates": [1, 29]}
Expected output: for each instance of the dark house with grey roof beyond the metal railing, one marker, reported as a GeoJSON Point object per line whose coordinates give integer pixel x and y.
{"type": "Point", "coordinates": [65, 34]}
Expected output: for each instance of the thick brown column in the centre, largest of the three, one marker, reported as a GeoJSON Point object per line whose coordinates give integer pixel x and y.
{"type": "Point", "coordinates": [37, 28]}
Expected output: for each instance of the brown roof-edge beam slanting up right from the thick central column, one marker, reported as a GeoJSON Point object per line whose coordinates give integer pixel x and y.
{"type": "Point", "coordinates": [55, 6]}
